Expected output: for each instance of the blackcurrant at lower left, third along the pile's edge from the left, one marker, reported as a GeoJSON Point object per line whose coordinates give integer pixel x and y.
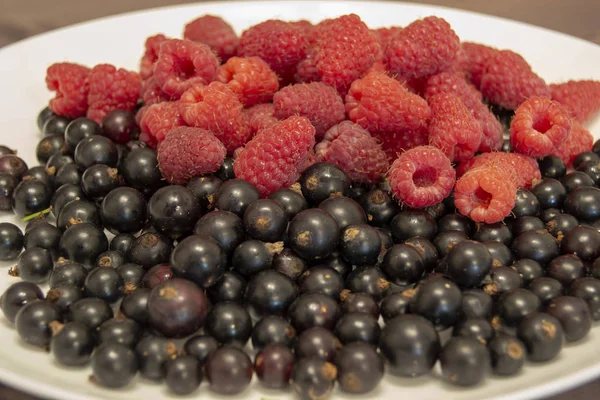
{"type": "Point", "coordinates": [72, 344]}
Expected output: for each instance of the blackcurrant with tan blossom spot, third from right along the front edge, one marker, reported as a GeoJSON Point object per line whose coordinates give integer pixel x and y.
{"type": "Point", "coordinates": [542, 335]}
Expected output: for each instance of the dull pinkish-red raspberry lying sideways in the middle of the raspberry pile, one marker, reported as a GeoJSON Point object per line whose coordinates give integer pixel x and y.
{"type": "Point", "coordinates": [319, 102]}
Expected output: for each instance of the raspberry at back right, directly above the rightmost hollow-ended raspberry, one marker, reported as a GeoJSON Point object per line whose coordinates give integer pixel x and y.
{"type": "Point", "coordinates": [508, 80]}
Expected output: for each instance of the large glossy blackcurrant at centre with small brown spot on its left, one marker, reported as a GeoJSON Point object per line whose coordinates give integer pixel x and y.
{"type": "Point", "coordinates": [313, 234]}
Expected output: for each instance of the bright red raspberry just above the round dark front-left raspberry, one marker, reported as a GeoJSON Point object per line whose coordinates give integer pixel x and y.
{"type": "Point", "coordinates": [216, 108]}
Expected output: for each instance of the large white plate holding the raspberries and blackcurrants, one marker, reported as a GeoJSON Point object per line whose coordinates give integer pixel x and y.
{"type": "Point", "coordinates": [119, 40]}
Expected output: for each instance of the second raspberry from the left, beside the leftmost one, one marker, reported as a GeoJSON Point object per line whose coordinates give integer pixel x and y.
{"type": "Point", "coordinates": [112, 89]}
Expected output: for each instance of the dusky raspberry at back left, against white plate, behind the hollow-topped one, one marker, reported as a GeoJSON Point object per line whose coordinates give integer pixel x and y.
{"type": "Point", "coordinates": [215, 33]}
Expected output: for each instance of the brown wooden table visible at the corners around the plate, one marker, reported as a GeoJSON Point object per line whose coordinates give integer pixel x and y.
{"type": "Point", "coordinates": [20, 19]}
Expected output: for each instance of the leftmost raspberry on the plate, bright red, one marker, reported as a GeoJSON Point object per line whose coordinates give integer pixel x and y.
{"type": "Point", "coordinates": [70, 82]}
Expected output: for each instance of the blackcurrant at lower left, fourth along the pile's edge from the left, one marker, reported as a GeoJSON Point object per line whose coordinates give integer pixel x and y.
{"type": "Point", "coordinates": [114, 365]}
